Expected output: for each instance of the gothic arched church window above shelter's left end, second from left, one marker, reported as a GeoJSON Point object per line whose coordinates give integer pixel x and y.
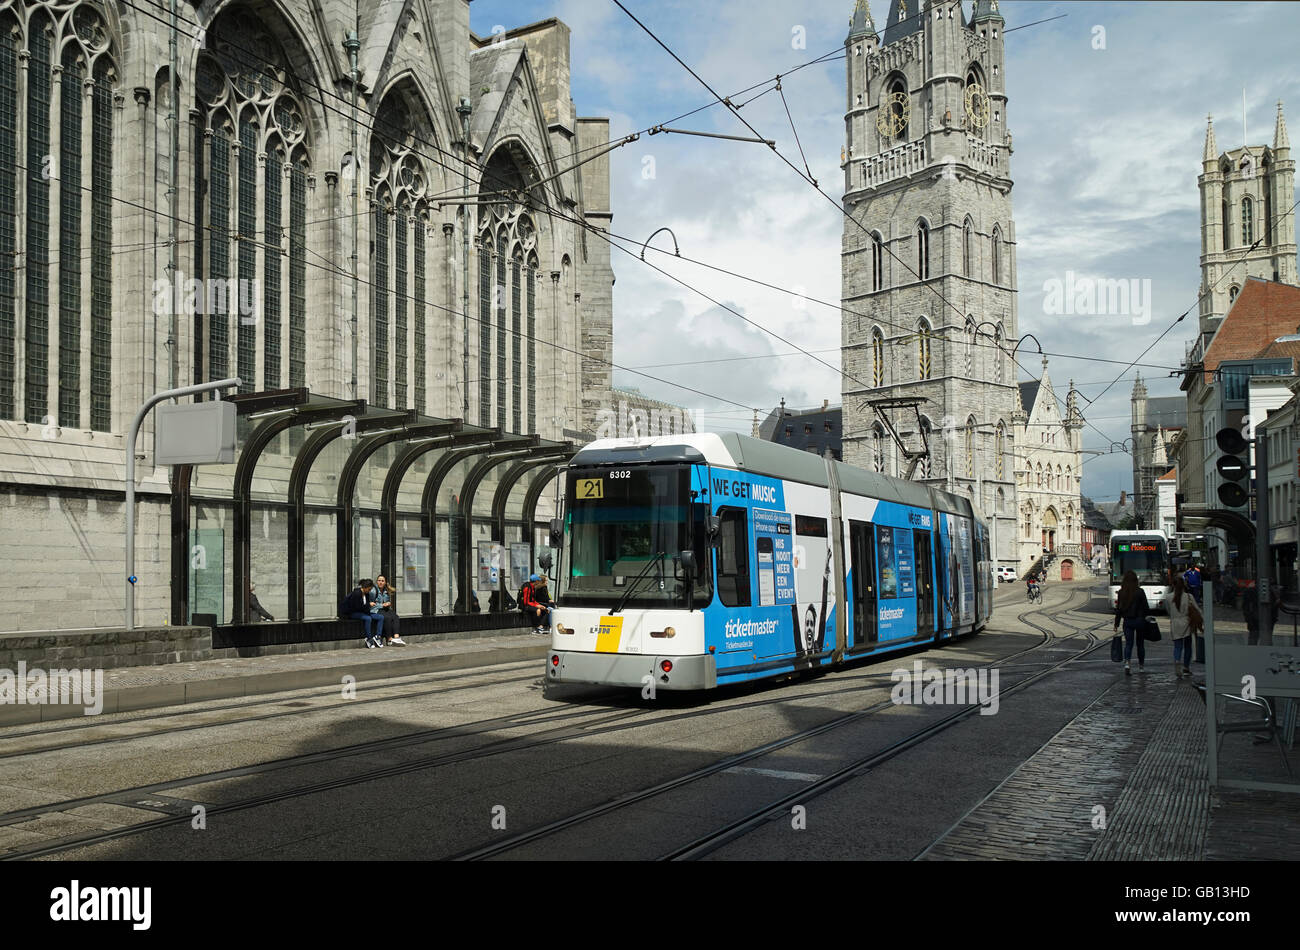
{"type": "Point", "coordinates": [252, 138]}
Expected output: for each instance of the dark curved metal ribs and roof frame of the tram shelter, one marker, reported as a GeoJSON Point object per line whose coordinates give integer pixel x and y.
{"type": "Point", "coordinates": [331, 420]}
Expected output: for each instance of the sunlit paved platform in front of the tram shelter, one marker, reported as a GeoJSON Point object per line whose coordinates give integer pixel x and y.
{"type": "Point", "coordinates": [142, 688]}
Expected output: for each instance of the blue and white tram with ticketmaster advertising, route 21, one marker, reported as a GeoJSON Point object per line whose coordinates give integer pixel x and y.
{"type": "Point", "coordinates": [704, 559]}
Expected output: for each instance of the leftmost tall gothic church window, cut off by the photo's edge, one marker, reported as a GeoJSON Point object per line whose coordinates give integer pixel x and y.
{"type": "Point", "coordinates": [67, 194]}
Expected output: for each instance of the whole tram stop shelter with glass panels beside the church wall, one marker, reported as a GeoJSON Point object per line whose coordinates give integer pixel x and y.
{"type": "Point", "coordinates": [326, 492]}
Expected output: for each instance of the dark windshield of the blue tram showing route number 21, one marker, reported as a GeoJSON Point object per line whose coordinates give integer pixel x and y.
{"type": "Point", "coordinates": [626, 531]}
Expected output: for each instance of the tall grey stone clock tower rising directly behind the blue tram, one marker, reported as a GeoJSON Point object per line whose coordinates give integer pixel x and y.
{"type": "Point", "coordinates": [929, 251]}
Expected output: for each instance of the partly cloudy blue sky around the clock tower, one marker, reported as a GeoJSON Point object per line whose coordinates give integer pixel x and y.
{"type": "Point", "coordinates": [1107, 110]}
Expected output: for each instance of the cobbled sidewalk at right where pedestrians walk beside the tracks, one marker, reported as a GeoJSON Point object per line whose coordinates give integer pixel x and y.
{"type": "Point", "coordinates": [1129, 780]}
